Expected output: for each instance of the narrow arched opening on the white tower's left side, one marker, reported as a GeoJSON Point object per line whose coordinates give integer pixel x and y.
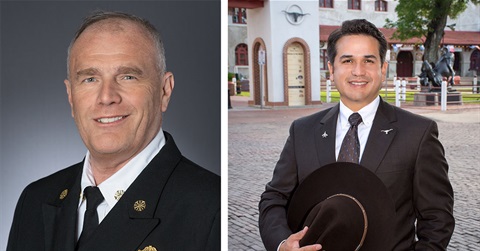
{"type": "Point", "coordinates": [257, 45]}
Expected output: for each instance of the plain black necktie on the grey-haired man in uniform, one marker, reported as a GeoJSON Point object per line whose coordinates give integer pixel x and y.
{"type": "Point", "coordinates": [90, 221]}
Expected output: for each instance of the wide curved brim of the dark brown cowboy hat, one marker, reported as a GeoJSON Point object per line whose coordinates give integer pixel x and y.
{"type": "Point", "coordinates": [352, 179]}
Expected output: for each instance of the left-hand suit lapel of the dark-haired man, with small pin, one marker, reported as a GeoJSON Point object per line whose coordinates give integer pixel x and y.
{"type": "Point", "coordinates": [325, 134]}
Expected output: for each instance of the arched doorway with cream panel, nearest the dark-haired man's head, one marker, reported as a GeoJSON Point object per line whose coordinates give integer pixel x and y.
{"type": "Point", "coordinates": [296, 67]}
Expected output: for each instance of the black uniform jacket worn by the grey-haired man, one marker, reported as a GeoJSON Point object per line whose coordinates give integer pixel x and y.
{"type": "Point", "coordinates": [182, 210]}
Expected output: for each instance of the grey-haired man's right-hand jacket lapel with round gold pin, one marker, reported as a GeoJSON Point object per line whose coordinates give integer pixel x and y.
{"type": "Point", "coordinates": [133, 217]}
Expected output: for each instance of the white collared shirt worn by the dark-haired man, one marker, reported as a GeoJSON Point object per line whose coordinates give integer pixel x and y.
{"type": "Point", "coordinates": [368, 114]}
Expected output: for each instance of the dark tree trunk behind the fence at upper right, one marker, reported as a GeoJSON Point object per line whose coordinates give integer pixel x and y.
{"type": "Point", "coordinates": [436, 30]}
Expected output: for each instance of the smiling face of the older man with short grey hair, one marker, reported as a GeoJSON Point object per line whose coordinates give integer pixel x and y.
{"type": "Point", "coordinates": [115, 90]}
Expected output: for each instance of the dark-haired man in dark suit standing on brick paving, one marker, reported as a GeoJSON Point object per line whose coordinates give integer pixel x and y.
{"type": "Point", "coordinates": [401, 148]}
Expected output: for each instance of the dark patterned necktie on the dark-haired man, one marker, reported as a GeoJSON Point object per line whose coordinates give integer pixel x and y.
{"type": "Point", "coordinates": [350, 150]}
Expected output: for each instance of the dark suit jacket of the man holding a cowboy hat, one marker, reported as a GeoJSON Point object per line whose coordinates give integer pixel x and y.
{"type": "Point", "coordinates": [409, 160]}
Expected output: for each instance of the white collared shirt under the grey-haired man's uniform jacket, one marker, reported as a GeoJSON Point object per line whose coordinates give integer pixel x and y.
{"type": "Point", "coordinates": [114, 187]}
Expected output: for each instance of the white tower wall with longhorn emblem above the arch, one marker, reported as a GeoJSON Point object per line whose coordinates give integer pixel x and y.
{"type": "Point", "coordinates": [270, 24]}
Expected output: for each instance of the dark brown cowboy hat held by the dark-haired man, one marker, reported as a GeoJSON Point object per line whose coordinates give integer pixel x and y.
{"type": "Point", "coordinates": [345, 206]}
